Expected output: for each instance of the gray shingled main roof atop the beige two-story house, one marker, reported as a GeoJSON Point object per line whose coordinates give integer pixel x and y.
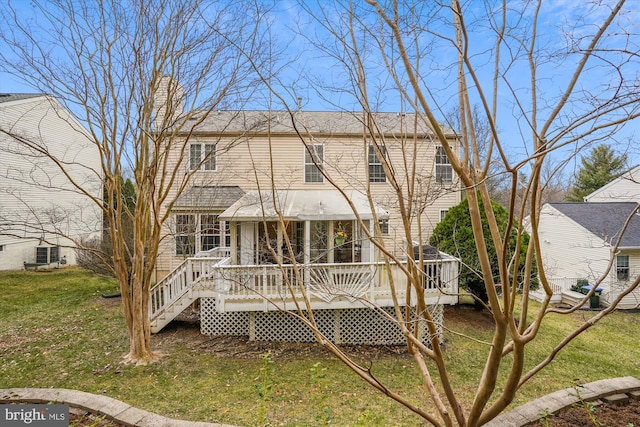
{"type": "Point", "coordinates": [310, 121]}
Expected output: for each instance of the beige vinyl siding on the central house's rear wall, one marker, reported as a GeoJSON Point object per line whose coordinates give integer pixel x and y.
{"type": "Point", "coordinates": [259, 161]}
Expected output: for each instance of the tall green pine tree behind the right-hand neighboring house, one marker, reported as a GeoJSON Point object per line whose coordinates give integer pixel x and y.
{"type": "Point", "coordinates": [599, 168]}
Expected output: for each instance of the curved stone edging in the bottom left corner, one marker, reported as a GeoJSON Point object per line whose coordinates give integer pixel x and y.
{"type": "Point", "coordinates": [100, 405]}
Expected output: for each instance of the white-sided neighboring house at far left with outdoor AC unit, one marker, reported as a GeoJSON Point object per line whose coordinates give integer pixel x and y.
{"type": "Point", "coordinates": [39, 208]}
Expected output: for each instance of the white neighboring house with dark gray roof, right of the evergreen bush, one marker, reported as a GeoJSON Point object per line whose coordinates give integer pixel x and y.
{"type": "Point", "coordinates": [591, 241]}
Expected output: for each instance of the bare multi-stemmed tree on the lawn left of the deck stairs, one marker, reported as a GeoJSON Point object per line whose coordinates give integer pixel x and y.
{"type": "Point", "coordinates": [116, 66]}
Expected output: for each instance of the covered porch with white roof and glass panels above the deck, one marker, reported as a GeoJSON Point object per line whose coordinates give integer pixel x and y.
{"type": "Point", "coordinates": [305, 226]}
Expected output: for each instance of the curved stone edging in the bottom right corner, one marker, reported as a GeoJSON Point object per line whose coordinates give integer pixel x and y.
{"type": "Point", "coordinates": [561, 399]}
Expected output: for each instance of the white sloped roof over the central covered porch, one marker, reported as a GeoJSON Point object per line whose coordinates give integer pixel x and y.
{"type": "Point", "coordinates": [301, 205]}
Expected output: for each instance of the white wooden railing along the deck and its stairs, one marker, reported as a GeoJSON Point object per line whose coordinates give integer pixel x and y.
{"type": "Point", "coordinates": [278, 282]}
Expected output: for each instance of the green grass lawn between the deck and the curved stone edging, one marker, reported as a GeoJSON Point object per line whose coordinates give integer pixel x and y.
{"type": "Point", "coordinates": [57, 331]}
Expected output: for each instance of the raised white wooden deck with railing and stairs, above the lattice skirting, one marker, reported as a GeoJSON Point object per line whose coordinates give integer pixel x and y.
{"type": "Point", "coordinates": [240, 288]}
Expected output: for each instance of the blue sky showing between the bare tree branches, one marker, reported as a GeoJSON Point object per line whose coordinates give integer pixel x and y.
{"type": "Point", "coordinates": [559, 20]}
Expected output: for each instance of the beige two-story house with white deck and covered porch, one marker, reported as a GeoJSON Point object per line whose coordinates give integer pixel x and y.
{"type": "Point", "coordinates": [260, 223]}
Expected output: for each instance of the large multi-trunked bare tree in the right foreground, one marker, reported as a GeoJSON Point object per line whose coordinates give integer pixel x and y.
{"type": "Point", "coordinates": [428, 56]}
